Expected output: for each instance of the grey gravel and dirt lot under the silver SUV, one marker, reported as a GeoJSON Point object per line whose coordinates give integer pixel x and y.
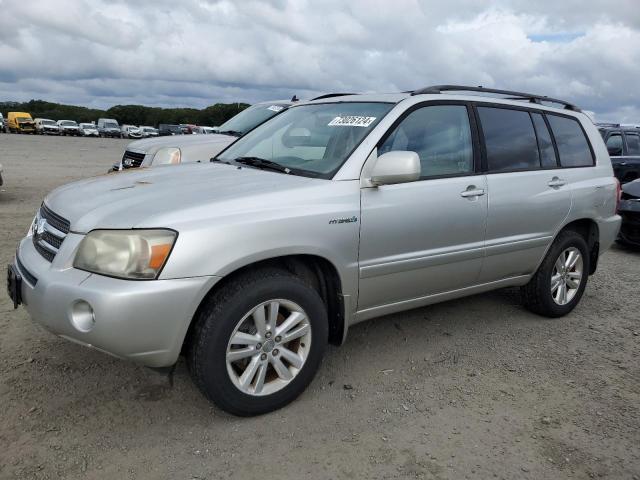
{"type": "Point", "coordinates": [476, 388]}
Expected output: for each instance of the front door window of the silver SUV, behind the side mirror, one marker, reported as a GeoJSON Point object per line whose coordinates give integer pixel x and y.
{"type": "Point", "coordinates": [440, 135]}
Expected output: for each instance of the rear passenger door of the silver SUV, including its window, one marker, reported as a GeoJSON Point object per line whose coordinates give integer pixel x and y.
{"type": "Point", "coordinates": [529, 196]}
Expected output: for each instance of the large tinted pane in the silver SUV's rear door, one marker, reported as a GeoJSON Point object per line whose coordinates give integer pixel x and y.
{"type": "Point", "coordinates": [509, 138]}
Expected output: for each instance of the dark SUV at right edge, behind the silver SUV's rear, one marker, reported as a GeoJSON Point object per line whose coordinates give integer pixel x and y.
{"type": "Point", "coordinates": [623, 144]}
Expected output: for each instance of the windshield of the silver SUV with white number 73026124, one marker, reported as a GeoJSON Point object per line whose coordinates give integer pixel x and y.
{"type": "Point", "coordinates": [313, 138]}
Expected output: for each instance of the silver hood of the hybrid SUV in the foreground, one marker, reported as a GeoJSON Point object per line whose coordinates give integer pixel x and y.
{"type": "Point", "coordinates": [170, 195]}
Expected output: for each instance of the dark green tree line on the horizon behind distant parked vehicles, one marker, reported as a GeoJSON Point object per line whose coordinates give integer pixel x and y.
{"type": "Point", "coordinates": [127, 114]}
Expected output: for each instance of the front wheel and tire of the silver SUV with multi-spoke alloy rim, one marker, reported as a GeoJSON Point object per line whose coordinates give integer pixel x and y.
{"type": "Point", "coordinates": [258, 342]}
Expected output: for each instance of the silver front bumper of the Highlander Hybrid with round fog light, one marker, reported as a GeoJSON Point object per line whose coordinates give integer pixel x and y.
{"type": "Point", "coordinates": [143, 321]}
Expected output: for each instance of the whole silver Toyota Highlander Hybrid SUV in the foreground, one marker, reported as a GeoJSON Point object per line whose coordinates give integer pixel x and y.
{"type": "Point", "coordinates": [333, 212]}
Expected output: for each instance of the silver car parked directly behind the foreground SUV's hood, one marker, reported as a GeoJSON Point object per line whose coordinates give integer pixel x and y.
{"type": "Point", "coordinates": [193, 148]}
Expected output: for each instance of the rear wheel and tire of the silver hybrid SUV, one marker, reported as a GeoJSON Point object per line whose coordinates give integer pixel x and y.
{"type": "Point", "coordinates": [559, 283]}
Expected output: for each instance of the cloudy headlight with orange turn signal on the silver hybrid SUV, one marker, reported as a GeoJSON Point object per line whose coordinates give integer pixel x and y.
{"type": "Point", "coordinates": [131, 254]}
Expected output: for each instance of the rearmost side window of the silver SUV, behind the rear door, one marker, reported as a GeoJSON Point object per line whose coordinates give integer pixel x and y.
{"type": "Point", "coordinates": [572, 144]}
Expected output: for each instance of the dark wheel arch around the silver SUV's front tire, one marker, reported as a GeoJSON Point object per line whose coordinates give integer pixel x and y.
{"type": "Point", "coordinates": [317, 271]}
